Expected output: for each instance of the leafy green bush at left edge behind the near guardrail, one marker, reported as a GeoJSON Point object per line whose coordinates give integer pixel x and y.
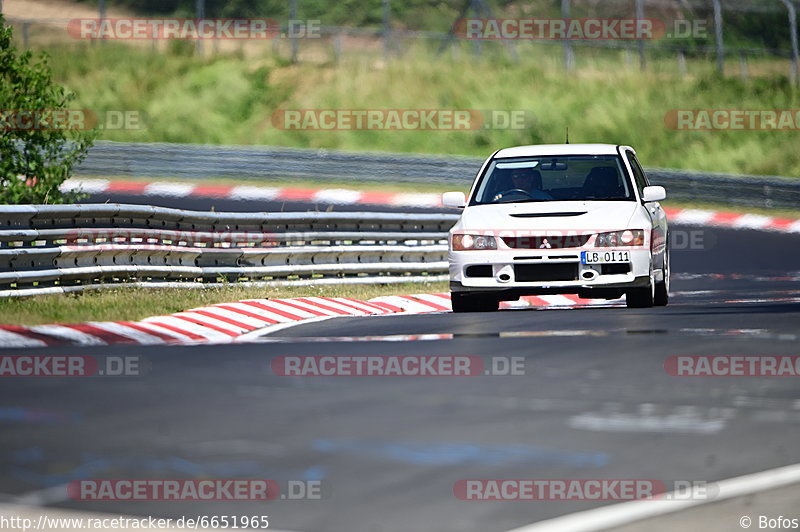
{"type": "Point", "coordinates": [41, 140]}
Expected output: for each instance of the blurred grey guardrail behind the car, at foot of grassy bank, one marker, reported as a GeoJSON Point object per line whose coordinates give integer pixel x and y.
{"type": "Point", "coordinates": [110, 159]}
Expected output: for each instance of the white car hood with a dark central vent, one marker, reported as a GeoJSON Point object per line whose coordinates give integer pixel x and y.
{"type": "Point", "coordinates": [550, 215]}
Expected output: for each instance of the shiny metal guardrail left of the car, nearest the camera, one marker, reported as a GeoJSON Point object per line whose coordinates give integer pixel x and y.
{"type": "Point", "coordinates": [52, 248]}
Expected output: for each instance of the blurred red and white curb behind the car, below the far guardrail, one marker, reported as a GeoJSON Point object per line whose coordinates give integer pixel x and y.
{"type": "Point", "coordinates": [341, 196]}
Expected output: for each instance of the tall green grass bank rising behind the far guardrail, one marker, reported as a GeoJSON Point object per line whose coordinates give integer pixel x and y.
{"type": "Point", "coordinates": [230, 99]}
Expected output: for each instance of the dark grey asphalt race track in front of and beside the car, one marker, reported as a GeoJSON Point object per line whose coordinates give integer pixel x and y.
{"type": "Point", "coordinates": [594, 402]}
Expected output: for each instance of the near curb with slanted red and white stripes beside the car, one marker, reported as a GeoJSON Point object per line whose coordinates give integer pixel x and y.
{"type": "Point", "coordinates": [242, 320]}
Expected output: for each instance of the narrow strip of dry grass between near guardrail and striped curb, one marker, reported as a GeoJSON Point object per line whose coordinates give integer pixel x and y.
{"type": "Point", "coordinates": [132, 303]}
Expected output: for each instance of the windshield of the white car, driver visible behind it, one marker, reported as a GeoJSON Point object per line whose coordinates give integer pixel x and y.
{"type": "Point", "coordinates": [563, 178]}
